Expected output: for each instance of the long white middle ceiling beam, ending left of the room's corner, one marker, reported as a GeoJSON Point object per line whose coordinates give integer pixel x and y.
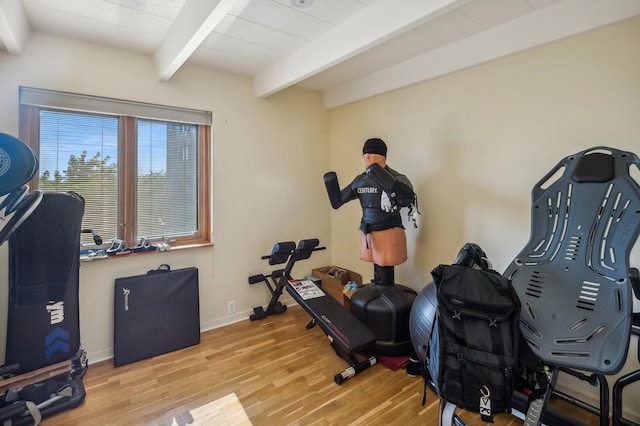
{"type": "Point", "coordinates": [374, 25]}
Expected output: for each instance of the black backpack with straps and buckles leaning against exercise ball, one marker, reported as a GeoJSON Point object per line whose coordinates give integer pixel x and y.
{"type": "Point", "coordinates": [475, 341]}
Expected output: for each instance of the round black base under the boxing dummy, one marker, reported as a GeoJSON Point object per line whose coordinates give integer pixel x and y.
{"type": "Point", "coordinates": [385, 309]}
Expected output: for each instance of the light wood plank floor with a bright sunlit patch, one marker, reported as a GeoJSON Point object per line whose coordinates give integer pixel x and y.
{"type": "Point", "coordinates": [269, 372]}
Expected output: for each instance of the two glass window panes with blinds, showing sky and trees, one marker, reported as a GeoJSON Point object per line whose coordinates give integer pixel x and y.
{"type": "Point", "coordinates": [79, 152]}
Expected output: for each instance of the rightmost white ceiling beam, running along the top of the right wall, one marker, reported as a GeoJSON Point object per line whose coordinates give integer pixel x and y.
{"type": "Point", "coordinates": [556, 22]}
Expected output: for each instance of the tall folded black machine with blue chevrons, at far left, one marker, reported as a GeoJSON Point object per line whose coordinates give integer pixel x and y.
{"type": "Point", "coordinates": [45, 364]}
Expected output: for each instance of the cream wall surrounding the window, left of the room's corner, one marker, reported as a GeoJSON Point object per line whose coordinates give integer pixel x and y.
{"type": "Point", "coordinates": [268, 159]}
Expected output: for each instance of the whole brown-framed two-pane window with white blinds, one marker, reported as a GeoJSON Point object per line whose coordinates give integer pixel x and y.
{"type": "Point", "coordinates": [142, 169]}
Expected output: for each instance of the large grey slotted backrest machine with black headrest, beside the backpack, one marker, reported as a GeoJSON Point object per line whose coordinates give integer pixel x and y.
{"type": "Point", "coordinates": [575, 284]}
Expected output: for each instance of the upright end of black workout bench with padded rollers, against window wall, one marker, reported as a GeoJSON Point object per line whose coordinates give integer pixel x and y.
{"type": "Point", "coordinates": [284, 252]}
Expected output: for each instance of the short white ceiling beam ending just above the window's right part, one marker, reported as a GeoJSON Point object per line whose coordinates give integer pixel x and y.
{"type": "Point", "coordinates": [196, 20]}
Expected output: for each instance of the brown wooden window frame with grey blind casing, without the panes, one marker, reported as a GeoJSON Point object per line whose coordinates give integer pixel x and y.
{"type": "Point", "coordinates": [29, 133]}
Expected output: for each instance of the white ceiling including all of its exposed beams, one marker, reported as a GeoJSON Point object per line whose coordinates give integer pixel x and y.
{"type": "Point", "coordinates": [347, 49]}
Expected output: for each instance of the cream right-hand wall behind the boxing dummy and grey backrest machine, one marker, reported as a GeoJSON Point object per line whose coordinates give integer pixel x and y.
{"type": "Point", "coordinates": [474, 144]}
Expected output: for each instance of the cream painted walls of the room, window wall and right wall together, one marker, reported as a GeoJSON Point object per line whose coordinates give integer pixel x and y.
{"type": "Point", "coordinates": [473, 143]}
